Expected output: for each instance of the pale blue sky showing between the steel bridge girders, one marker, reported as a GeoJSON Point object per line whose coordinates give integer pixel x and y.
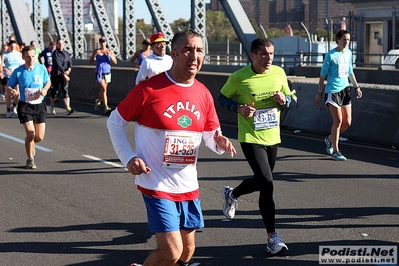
{"type": "Point", "coordinates": [173, 9]}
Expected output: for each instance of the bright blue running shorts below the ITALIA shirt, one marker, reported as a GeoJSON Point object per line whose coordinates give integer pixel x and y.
{"type": "Point", "coordinates": [167, 216]}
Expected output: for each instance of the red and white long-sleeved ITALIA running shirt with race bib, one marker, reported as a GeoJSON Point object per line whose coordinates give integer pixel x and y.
{"type": "Point", "coordinates": [171, 119]}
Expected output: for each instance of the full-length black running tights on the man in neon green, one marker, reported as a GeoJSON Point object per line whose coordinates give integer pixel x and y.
{"type": "Point", "coordinates": [261, 159]}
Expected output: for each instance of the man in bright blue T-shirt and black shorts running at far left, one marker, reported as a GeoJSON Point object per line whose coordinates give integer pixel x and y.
{"type": "Point", "coordinates": [34, 82]}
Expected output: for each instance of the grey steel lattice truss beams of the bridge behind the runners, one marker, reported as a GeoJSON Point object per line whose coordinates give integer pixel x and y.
{"type": "Point", "coordinates": [11, 19]}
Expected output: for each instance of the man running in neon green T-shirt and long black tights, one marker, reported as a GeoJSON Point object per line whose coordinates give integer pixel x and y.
{"type": "Point", "coordinates": [258, 93]}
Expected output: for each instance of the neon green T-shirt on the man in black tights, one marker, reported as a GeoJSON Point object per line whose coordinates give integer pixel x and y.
{"type": "Point", "coordinates": [246, 87]}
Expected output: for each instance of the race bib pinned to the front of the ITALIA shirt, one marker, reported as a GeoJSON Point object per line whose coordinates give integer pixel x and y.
{"type": "Point", "coordinates": [181, 151]}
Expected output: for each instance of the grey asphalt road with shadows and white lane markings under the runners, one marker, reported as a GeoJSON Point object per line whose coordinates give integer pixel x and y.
{"type": "Point", "coordinates": [80, 207]}
